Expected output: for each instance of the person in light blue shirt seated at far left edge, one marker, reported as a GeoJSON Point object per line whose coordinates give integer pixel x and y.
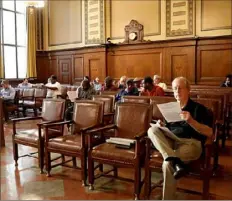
{"type": "Point", "coordinates": [8, 95]}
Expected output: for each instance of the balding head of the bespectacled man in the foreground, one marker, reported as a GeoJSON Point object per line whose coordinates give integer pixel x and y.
{"type": "Point", "coordinates": [181, 89]}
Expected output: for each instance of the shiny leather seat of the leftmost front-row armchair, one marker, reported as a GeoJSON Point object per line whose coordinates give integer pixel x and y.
{"type": "Point", "coordinates": [32, 135]}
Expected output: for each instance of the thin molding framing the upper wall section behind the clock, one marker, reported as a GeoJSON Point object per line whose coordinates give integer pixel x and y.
{"type": "Point", "coordinates": [149, 34]}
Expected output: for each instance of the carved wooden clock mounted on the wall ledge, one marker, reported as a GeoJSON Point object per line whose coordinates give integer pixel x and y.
{"type": "Point", "coordinates": [134, 33]}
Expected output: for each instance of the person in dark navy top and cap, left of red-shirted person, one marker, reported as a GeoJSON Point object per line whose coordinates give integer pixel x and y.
{"type": "Point", "coordinates": [130, 90]}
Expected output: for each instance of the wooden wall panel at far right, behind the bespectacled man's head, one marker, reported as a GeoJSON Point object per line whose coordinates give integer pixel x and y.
{"type": "Point", "coordinates": [214, 62]}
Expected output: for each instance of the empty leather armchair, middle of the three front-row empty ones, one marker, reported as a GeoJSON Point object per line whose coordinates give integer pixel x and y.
{"type": "Point", "coordinates": [87, 115]}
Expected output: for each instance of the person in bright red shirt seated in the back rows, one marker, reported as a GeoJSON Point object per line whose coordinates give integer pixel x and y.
{"type": "Point", "coordinates": [150, 89]}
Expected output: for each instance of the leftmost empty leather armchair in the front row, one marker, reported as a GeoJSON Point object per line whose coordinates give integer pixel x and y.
{"type": "Point", "coordinates": [52, 111]}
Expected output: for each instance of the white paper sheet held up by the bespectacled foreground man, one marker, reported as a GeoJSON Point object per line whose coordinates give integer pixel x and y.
{"type": "Point", "coordinates": [170, 111]}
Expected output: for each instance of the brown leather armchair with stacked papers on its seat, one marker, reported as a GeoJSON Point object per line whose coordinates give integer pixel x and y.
{"type": "Point", "coordinates": [131, 121]}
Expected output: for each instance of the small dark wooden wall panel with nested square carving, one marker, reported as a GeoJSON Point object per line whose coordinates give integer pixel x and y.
{"type": "Point", "coordinates": [65, 68]}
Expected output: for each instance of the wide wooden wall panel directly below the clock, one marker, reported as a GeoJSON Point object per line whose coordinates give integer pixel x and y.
{"type": "Point", "coordinates": [134, 63]}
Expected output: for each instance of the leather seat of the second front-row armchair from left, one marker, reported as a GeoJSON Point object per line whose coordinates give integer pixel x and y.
{"type": "Point", "coordinates": [70, 142]}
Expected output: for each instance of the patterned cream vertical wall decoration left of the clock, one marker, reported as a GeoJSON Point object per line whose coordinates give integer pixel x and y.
{"type": "Point", "coordinates": [93, 36]}
